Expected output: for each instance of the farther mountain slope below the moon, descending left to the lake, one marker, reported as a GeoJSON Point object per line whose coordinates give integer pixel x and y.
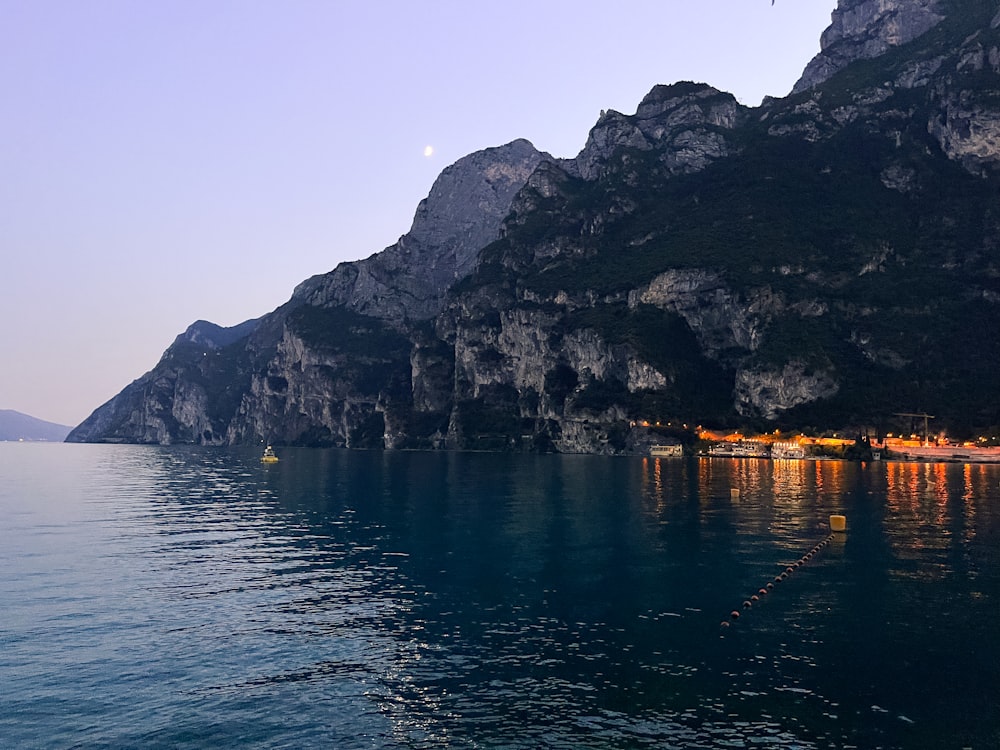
{"type": "Point", "coordinates": [233, 388]}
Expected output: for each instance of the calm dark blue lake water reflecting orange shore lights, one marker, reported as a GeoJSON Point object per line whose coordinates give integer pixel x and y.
{"type": "Point", "coordinates": [194, 598]}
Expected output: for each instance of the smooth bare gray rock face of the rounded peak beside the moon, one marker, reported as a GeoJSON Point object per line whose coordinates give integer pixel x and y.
{"type": "Point", "coordinates": [461, 215]}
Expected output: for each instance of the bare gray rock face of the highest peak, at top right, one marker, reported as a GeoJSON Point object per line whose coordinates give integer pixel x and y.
{"type": "Point", "coordinates": [864, 29]}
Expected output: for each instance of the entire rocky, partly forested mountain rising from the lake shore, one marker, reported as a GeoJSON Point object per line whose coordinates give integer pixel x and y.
{"type": "Point", "coordinates": [828, 259]}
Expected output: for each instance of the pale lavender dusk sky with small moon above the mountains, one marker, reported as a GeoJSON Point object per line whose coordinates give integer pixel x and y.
{"type": "Point", "coordinates": [166, 161]}
